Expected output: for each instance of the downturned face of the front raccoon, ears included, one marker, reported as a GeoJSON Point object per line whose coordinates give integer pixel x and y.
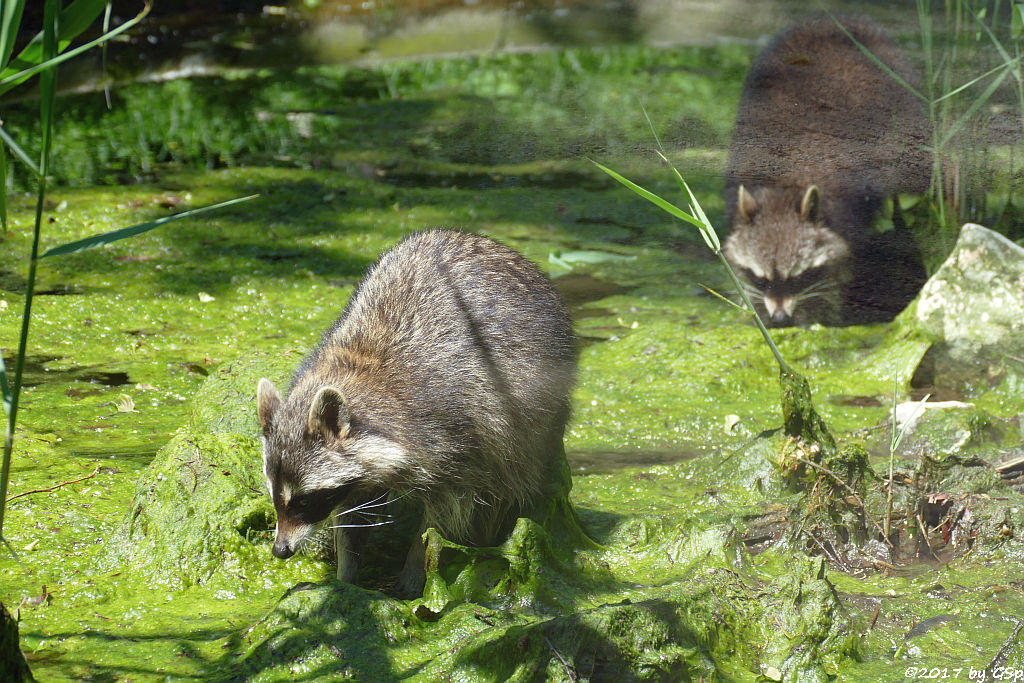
{"type": "Point", "coordinates": [307, 476]}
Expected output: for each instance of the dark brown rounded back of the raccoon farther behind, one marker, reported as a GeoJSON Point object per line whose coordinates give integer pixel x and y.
{"type": "Point", "coordinates": [816, 110]}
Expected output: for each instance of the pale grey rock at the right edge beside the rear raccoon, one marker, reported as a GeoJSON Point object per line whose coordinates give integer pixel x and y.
{"type": "Point", "coordinates": [973, 308]}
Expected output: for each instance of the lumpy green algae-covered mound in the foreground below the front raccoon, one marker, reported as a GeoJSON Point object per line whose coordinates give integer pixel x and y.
{"type": "Point", "coordinates": [795, 629]}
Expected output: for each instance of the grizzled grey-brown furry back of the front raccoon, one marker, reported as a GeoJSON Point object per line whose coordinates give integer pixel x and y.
{"type": "Point", "coordinates": [467, 335]}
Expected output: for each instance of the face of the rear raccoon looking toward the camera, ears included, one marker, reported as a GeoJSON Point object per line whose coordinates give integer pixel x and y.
{"type": "Point", "coordinates": [793, 267]}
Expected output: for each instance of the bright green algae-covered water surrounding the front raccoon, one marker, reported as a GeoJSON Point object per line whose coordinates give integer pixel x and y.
{"type": "Point", "coordinates": [138, 515]}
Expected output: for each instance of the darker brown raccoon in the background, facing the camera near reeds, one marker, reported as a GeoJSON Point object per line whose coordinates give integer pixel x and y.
{"type": "Point", "coordinates": [824, 136]}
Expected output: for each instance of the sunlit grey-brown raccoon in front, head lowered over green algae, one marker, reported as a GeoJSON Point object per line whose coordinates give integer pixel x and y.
{"type": "Point", "coordinates": [446, 381]}
